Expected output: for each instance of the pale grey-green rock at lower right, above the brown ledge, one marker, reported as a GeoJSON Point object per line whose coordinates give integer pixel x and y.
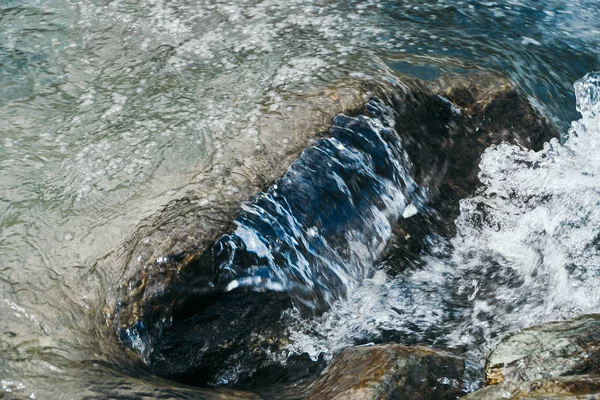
{"type": "Point", "coordinates": [548, 350]}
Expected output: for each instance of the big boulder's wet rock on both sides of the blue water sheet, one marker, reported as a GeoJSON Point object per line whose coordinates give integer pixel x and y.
{"type": "Point", "coordinates": [172, 307]}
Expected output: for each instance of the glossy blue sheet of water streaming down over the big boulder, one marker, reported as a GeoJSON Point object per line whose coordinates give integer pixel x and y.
{"type": "Point", "coordinates": [321, 227]}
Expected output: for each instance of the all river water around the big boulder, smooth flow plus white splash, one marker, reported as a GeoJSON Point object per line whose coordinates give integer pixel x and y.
{"type": "Point", "coordinates": [109, 109]}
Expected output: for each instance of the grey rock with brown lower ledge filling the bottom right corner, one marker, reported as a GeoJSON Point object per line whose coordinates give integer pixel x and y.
{"type": "Point", "coordinates": [558, 360]}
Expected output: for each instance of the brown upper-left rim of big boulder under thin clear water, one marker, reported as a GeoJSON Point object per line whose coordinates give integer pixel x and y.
{"type": "Point", "coordinates": [167, 262]}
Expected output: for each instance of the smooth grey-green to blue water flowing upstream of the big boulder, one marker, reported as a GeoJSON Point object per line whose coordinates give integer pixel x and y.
{"type": "Point", "coordinates": [108, 110]}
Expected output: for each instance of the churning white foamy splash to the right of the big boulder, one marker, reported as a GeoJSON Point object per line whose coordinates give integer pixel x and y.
{"type": "Point", "coordinates": [526, 251]}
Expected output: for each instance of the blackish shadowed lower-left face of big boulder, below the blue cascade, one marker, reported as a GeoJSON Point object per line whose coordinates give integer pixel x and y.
{"type": "Point", "coordinates": [241, 328]}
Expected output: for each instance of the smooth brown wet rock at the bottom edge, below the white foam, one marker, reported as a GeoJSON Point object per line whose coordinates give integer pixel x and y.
{"type": "Point", "coordinates": [390, 371]}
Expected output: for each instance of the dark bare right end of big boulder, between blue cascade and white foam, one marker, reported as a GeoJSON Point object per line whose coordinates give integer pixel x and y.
{"type": "Point", "coordinates": [447, 150]}
